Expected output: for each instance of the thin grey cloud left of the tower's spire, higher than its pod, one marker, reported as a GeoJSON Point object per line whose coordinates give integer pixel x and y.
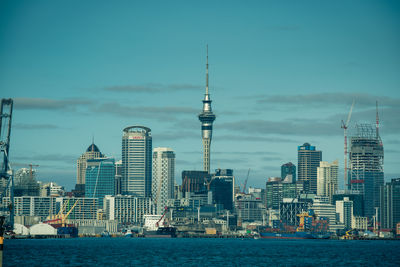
{"type": "Point", "coordinates": [152, 88]}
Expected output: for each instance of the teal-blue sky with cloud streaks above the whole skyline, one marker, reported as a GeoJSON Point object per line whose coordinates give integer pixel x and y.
{"type": "Point", "coordinates": [282, 73]}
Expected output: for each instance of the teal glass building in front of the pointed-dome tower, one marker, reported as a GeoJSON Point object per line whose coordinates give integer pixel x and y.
{"type": "Point", "coordinates": [100, 178]}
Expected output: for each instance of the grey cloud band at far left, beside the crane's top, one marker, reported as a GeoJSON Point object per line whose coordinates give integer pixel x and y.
{"type": "Point", "coordinates": [49, 104]}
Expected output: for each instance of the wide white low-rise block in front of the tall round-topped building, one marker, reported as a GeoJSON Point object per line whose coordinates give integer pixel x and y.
{"type": "Point", "coordinates": [127, 209]}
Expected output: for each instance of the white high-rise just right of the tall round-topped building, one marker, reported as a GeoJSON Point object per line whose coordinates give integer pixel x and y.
{"type": "Point", "coordinates": [163, 178]}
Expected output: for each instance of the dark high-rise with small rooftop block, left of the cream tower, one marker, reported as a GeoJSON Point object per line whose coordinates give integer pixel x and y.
{"type": "Point", "coordinates": [308, 162]}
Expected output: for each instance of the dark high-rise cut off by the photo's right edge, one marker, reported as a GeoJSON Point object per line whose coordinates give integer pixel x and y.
{"type": "Point", "coordinates": [390, 204]}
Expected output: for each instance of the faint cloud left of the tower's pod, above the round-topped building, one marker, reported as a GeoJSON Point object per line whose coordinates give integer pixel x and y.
{"type": "Point", "coordinates": [157, 112]}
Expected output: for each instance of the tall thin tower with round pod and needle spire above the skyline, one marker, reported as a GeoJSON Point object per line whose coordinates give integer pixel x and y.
{"type": "Point", "coordinates": [206, 118]}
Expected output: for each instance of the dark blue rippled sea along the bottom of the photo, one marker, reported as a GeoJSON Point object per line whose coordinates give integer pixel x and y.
{"type": "Point", "coordinates": [199, 252]}
